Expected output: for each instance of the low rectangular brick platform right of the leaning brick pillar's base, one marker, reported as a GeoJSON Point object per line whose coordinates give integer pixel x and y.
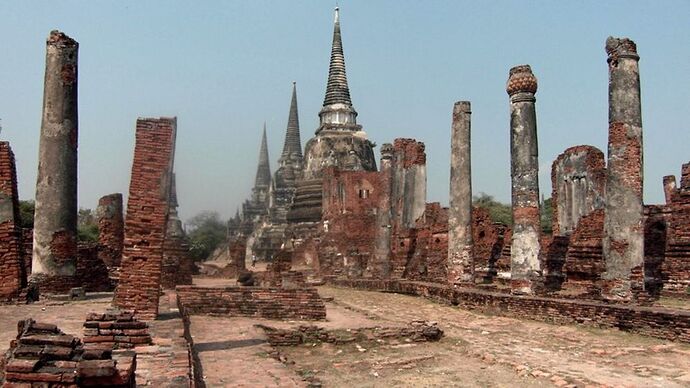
{"type": "Point", "coordinates": [273, 303]}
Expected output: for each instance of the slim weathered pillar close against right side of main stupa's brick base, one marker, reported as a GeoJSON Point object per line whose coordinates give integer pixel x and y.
{"type": "Point", "coordinates": [381, 267]}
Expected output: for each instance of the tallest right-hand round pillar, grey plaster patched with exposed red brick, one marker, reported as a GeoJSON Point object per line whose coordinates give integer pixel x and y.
{"type": "Point", "coordinates": [623, 243]}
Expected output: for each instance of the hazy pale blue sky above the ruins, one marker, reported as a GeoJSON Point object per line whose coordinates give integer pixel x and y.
{"type": "Point", "coordinates": [226, 67]}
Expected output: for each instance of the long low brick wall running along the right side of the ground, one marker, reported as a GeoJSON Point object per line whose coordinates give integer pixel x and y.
{"type": "Point", "coordinates": [656, 322]}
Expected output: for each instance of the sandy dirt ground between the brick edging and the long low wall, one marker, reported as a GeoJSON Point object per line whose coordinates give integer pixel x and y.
{"type": "Point", "coordinates": [477, 351]}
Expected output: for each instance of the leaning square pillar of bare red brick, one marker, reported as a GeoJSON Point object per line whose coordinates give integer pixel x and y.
{"type": "Point", "coordinates": [147, 213]}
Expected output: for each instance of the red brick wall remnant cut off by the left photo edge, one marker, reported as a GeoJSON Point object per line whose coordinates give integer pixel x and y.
{"type": "Point", "coordinates": [12, 269]}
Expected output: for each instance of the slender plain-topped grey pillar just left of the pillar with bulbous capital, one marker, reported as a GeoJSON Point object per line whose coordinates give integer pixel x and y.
{"type": "Point", "coordinates": [460, 260]}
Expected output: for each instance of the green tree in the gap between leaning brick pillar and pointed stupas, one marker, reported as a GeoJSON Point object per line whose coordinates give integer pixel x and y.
{"type": "Point", "coordinates": [207, 231]}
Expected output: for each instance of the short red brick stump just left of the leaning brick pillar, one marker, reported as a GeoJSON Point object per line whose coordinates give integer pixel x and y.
{"type": "Point", "coordinates": [111, 230]}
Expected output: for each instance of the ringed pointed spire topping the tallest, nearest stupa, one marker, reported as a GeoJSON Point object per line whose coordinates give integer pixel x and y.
{"type": "Point", "coordinates": [337, 91]}
